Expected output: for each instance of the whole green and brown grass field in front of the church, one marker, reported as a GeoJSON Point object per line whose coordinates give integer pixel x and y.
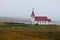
{"type": "Point", "coordinates": [30, 32]}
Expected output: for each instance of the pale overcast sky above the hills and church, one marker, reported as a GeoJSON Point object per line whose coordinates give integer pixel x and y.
{"type": "Point", "coordinates": [23, 8]}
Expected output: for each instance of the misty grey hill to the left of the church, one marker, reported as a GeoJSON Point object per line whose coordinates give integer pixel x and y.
{"type": "Point", "coordinates": [17, 20]}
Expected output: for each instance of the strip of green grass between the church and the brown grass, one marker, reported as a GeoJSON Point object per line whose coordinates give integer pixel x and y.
{"type": "Point", "coordinates": [35, 27]}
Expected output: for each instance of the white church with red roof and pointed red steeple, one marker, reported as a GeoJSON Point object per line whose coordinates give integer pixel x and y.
{"type": "Point", "coordinates": [39, 19]}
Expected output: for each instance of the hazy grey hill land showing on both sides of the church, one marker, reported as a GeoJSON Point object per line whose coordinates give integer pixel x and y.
{"type": "Point", "coordinates": [21, 20]}
